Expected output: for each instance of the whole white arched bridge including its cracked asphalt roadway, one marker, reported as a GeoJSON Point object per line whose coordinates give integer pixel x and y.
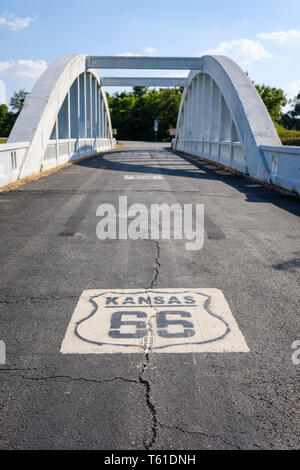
{"type": "Point", "coordinates": [138, 342]}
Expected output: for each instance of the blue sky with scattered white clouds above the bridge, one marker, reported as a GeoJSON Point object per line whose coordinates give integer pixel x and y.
{"type": "Point", "coordinates": [262, 36]}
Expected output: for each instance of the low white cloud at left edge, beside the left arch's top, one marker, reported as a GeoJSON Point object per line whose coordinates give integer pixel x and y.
{"type": "Point", "coordinates": [23, 68]}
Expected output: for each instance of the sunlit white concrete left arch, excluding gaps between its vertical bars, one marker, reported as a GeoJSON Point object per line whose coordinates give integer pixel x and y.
{"type": "Point", "coordinates": [38, 118]}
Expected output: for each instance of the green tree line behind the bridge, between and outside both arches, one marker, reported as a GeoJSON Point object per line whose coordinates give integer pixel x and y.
{"type": "Point", "coordinates": [133, 113]}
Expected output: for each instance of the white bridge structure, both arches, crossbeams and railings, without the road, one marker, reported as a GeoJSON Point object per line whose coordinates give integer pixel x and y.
{"type": "Point", "coordinates": [221, 118]}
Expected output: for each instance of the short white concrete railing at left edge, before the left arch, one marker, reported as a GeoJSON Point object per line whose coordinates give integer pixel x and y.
{"type": "Point", "coordinates": [12, 157]}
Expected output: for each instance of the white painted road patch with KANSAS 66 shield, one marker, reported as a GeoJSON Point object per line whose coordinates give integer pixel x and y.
{"type": "Point", "coordinates": [157, 320]}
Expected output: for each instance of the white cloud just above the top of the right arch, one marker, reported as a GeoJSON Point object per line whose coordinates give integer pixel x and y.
{"type": "Point", "coordinates": [242, 51]}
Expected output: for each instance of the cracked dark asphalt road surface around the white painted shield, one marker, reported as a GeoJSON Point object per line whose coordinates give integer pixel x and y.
{"type": "Point", "coordinates": [148, 400]}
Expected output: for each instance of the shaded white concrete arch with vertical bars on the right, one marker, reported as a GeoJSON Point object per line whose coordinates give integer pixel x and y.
{"type": "Point", "coordinates": [222, 118]}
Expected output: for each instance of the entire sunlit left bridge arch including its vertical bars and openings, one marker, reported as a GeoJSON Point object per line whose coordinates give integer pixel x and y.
{"type": "Point", "coordinates": [66, 116]}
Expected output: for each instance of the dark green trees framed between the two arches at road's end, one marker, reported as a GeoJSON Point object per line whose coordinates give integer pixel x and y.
{"type": "Point", "coordinates": [133, 113]}
